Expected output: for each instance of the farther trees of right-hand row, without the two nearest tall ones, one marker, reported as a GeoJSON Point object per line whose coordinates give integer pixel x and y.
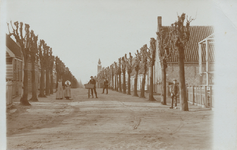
{"type": "Point", "coordinates": [143, 61]}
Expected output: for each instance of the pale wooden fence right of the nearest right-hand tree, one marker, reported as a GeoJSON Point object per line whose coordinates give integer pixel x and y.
{"type": "Point", "coordinates": [200, 96]}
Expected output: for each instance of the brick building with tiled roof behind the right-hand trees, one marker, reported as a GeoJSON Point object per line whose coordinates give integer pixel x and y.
{"type": "Point", "coordinates": [192, 73]}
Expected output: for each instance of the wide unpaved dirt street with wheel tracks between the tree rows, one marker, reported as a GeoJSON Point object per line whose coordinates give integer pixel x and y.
{"type": "Point", "coordinates": [113, 121]}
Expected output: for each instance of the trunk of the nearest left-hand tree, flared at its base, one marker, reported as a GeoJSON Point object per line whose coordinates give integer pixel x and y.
{"type": "Point", "coordinates": [24, 98]}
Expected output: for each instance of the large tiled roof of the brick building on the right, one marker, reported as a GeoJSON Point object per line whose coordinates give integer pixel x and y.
{"type": "Point", "coordinates": [197, 34]}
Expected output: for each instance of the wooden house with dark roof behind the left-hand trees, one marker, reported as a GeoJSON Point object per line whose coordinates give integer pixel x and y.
{"type": "Point", "coordinates": [15, 66]}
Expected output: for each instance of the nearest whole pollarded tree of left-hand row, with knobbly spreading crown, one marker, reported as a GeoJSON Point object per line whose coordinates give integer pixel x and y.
{"type": "Point", "coordinates": [24, 42]}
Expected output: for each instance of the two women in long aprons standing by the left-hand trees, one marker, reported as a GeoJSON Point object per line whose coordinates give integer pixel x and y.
{"type": "Point", "coordinates": [63, 89]}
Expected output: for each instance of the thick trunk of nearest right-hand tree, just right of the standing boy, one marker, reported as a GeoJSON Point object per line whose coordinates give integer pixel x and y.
{"type": "Point", "coordinates": [182, 89]}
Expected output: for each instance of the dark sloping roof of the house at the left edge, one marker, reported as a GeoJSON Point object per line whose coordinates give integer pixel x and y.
{"type": "Point", "coordinates": [14, 47]}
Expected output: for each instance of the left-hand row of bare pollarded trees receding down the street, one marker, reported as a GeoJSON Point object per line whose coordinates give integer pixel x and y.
{"type": "Point", "coordinates": [34, 52]}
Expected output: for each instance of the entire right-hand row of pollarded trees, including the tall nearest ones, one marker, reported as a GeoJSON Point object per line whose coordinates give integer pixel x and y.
{"type": "Point", "coordinates": [170, 41]}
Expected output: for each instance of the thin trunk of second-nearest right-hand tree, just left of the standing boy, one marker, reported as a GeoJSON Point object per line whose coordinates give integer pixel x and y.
{"type": "Point", "coordinates": [163, 94]}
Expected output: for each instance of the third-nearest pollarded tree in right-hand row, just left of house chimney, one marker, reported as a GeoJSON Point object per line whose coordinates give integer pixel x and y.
{"type": "Point", "coordinates": [151, 57]}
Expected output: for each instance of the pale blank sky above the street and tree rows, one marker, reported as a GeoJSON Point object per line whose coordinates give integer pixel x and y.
{"type": "Point", "coordinates": [82, 31]}
